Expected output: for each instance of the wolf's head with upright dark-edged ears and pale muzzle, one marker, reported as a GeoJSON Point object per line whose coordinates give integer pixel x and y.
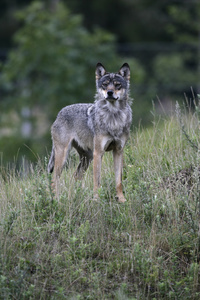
{"type": "Point", "coordinates": [112, 86]}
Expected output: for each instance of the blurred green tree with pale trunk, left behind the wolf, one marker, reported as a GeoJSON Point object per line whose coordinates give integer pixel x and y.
{"type": "Point", "coordinates": [53, 65]}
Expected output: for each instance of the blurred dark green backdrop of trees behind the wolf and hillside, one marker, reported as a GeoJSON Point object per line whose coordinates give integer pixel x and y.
{"type": "Point", "coordinates": [49, 50]}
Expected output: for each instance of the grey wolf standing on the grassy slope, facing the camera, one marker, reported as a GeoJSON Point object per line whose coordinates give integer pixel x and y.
{"type": "Point", "coordinates": [93, 128]}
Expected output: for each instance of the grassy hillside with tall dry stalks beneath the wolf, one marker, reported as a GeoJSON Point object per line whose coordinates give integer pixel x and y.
{"type": "Point", "coordinates": [77, 248]}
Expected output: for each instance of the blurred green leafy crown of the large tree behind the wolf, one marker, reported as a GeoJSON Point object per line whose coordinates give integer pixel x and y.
{"type": "Point", "coordinates": [54, 58]}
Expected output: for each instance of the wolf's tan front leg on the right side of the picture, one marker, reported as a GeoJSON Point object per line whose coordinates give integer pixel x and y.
{"type": "Point", "coordinates": [118, 165]}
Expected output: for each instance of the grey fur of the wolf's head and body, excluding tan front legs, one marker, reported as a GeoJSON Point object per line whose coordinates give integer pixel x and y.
{"type": "Point", "coordinates": [110, 116]}
